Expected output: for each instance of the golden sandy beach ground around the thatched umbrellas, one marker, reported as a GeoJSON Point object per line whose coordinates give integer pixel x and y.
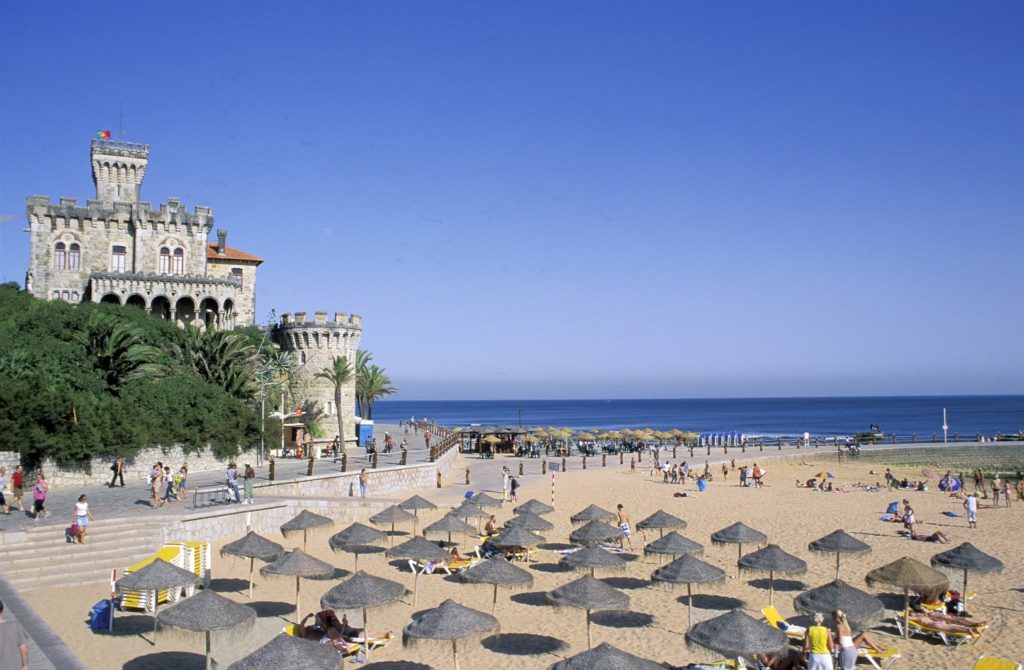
{"type": "Point", "coordinates": [535, 636]}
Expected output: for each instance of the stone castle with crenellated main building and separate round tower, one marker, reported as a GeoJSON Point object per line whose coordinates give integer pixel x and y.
{"type": "Point", "coordinates": [118, 249]}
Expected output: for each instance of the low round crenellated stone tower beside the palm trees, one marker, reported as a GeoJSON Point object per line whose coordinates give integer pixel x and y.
{"type": "Point", "coordinates": [315, 346]}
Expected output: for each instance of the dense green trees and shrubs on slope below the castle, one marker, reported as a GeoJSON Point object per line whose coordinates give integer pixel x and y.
{"type": "Point", "coordinates": [94, 381]}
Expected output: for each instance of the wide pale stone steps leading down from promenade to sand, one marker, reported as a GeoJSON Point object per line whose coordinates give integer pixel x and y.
{"type": "Point", "coordinates": [46, 558]}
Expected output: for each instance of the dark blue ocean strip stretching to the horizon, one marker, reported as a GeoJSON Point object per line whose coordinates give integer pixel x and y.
{"type": "Point", "coordinates": [767, 417]}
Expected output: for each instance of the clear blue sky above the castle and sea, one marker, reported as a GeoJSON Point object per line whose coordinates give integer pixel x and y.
{"type": "Point", "coordinates": [574, 199]}
